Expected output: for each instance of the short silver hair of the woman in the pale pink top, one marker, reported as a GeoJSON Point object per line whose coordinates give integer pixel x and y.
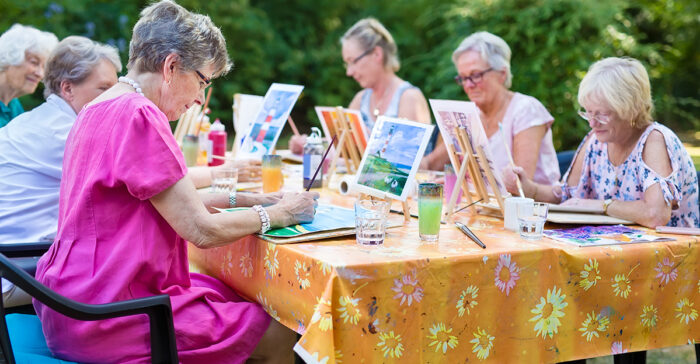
{"type": "Point", "coordinates": [492, 48]}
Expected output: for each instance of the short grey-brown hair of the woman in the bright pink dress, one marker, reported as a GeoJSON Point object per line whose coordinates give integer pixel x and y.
{"type": "Point", "coordinates": [166, 27]}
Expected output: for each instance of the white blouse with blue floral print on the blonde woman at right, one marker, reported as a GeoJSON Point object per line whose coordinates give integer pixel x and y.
{"type": "Point", "coordinates": [600, 179]}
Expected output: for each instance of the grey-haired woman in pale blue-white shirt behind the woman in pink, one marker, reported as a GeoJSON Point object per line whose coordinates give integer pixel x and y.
{"type": "Point", "coordinates": [32, 145]}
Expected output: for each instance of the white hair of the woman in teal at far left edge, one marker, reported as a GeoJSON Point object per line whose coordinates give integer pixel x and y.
{"type": "Point", "coordinates": [21, 38]}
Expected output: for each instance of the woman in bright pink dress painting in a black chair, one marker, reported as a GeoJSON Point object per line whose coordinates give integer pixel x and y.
{"type": "Point", "coordinates": [127, 208]}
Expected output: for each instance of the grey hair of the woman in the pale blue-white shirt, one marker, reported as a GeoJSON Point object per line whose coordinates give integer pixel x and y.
{"type": "Point", "coordinates": [73, 60]}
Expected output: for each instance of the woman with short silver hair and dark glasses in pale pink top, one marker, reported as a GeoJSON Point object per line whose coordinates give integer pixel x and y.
{"type": "Point", "coordinates": [483, 66]}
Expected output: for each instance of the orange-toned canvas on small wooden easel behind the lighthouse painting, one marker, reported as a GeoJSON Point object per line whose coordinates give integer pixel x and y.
{"type": "Point", "coordinates": [347, 127]}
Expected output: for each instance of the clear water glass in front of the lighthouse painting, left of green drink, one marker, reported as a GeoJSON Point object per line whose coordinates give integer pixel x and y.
{"type": "Point", "coordinates": [370, 221]}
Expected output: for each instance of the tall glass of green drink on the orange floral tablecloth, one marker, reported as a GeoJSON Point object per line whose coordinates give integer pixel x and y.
{"type": "Point", "coordinates": [429, 211]}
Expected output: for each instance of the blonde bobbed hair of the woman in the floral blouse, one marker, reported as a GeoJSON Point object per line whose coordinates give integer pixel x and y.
{"type": "Point", "coordinates": [624, 84]}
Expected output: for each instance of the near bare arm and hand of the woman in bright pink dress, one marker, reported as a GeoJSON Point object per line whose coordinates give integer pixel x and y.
{"type": "Point", "coordinates": [182, 208]}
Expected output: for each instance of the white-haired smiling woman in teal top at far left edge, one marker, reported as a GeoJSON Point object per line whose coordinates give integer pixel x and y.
{"type": "Point", "coordinates": [23, 52]}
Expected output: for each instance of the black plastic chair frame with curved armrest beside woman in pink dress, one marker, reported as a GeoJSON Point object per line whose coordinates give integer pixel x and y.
{"type": "Point", "coordinates": [158, 309]}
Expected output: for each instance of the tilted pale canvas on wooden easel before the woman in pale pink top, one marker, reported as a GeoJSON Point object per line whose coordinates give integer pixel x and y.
{"type": "Point", "coordinates": [451, 114]}
